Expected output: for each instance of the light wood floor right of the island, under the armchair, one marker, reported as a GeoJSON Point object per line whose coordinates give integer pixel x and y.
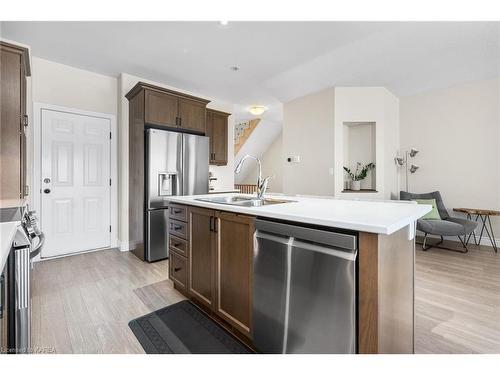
{"type": "Point", "coordinates": [457, 301]}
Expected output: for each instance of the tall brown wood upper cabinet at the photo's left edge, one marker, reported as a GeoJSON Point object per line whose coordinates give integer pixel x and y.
{"type": "Point", "coordinates": [15, 67]}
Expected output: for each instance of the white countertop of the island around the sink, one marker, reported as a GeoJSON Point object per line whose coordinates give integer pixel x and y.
{"type": "Point", "coordinates": [383, 217]}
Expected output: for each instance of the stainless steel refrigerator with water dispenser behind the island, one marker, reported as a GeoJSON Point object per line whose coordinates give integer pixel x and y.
{"type": "Point", "coordinates": [176, 164]}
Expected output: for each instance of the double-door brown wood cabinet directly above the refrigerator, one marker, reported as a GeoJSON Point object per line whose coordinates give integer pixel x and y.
{"type": "Point", "coordinates": [171, 109]}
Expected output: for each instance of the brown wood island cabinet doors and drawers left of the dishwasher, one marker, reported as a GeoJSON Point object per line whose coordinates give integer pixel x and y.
{"type": "Point", "coordinates": [220, 264]}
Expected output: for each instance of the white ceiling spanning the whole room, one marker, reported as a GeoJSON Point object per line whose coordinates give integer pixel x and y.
{"type": "Point", "coordinates": [277, 61]}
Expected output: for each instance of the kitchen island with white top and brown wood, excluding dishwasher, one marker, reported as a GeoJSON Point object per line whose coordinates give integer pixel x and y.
{"type": "Point", "coordinates": [212, 251]}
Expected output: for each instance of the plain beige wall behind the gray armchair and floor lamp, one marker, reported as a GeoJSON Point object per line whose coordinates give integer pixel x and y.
{"type": "Point", "coordinates": [457, 131]}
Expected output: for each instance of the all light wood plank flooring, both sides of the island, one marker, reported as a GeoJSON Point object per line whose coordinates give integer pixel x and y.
{"type": "Point", "coordinates": [83, 303]}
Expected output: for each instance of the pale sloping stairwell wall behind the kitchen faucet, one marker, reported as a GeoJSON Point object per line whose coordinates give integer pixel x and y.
{"type": "Point", "coordinates": [272, 165]}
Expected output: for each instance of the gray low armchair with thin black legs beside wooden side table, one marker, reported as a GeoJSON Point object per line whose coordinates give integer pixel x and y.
{"type": "Point", "coordinates": [447, 226]}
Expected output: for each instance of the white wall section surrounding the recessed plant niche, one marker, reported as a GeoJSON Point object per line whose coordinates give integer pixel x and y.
{"type": "Point", "coordinates": [369, 104]}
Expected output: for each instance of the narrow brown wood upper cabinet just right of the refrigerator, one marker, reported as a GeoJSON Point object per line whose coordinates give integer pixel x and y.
{"type": "Point", "coordinates": [217, 127]}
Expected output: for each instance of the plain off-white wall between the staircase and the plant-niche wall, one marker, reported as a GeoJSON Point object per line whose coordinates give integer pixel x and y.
{"type": "Point", "coordinates": [308, 131]}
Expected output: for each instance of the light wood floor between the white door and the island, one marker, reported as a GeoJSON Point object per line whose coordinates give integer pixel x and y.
{"type": "Point", "coordinates": [83, 303]}
